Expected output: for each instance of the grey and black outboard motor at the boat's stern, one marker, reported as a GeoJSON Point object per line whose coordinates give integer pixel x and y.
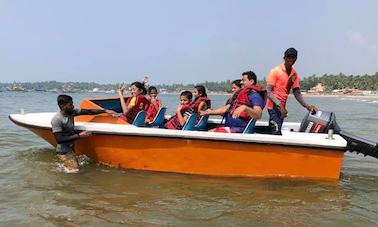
{"type": "Point", "coordinates": [322, 121]}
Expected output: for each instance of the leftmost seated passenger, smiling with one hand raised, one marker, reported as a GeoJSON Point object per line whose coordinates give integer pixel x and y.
{"type": "Point", "coordinates": [135, 103]}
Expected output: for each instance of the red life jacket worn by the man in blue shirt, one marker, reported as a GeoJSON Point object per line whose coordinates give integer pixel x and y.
{"type": "Point", "coordinates": [242, 99]}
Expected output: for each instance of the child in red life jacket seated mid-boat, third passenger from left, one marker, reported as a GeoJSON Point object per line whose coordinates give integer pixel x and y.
{"type": "Point", "coordinates": [183, 111]}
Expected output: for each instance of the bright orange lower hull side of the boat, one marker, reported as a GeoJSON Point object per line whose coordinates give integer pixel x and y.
{"type": "Point", "coordinates": [207, 157]}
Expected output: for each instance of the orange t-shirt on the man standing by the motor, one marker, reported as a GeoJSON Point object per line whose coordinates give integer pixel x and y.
{"type": "Point", "coordinates": [279, 79]}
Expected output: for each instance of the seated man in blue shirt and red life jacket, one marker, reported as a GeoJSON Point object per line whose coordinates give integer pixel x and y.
{"type": "Point", "coordinates": [248, 104]}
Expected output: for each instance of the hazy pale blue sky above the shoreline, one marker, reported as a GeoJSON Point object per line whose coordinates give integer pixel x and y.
{"type": "Point", "coordinates": [182, 41]}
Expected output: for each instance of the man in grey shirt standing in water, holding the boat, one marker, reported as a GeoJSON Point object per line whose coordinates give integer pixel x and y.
{"type": "Point", "coordinates": [63, 129]}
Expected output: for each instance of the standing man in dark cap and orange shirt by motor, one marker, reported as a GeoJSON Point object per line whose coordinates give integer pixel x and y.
{"type": "Point", "coordinates": [281, 80]}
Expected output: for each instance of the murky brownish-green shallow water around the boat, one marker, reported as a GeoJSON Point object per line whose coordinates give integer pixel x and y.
{"type": "Point", "coordinates": [34, 191]}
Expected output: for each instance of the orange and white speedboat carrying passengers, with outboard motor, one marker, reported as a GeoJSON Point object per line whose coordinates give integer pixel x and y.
{"type": "Point", "coordinates": [312, 149]}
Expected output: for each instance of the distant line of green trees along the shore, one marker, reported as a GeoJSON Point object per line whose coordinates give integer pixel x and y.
{"type": "Point", "coordinates": [332, 82]}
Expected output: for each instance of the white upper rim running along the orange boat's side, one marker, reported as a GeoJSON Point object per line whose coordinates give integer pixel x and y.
{"type": "Point", "coordinates": [290, 138]}
